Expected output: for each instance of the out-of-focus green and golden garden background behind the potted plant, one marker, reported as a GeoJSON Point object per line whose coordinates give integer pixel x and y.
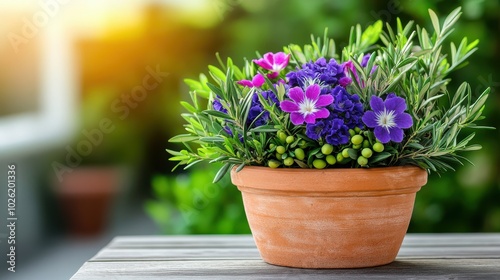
{"type": "Point", "coordinates": [114, 45]}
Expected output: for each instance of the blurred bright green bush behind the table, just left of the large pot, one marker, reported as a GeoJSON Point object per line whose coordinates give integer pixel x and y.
{"type": "Point", "coordinates": [191, 203]}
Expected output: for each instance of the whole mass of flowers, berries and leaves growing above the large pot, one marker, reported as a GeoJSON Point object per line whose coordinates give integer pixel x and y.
{"type": "Point", "coordinates": [382, 101]}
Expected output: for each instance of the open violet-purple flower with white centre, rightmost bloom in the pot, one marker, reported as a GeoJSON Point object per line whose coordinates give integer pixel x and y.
{"type": "Point", "coordinates": [388, 118]}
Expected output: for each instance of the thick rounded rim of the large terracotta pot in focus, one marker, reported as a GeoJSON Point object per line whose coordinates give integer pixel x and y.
{"type": "Point", "coordinates": [374, 181]}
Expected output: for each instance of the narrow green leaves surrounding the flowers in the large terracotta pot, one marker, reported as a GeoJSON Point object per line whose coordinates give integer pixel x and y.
{"type": "Point", "coordinates": [410, 62]}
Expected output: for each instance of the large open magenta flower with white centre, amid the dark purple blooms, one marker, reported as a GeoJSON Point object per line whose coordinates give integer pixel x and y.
{"type": "Point", "coordinates": [306, 106]}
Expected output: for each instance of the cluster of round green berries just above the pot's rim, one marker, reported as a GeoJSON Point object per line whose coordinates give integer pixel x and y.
{"type": "Point", "coordinates": [289, 150]}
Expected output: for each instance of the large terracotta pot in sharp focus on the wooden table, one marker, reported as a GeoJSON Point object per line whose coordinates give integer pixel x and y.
{"type": "Point", "coordinates": [330, 218]}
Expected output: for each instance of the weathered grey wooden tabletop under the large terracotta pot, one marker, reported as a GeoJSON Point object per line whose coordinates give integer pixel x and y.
{"type": "Point", "coordinates": [422, 256]}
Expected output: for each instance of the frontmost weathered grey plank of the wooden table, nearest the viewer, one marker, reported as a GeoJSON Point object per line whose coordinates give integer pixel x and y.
{"type": "Point", "coordinates": [245, 269]}
